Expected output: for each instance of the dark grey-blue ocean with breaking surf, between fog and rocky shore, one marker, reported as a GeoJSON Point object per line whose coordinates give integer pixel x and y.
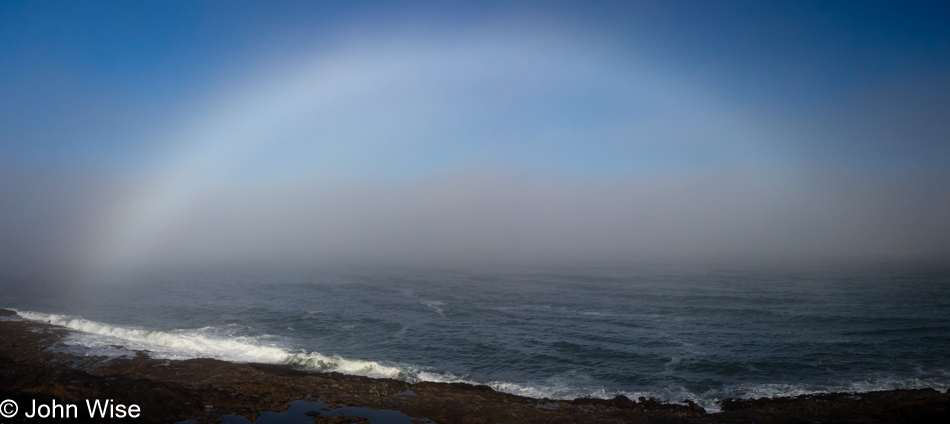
{"type": "Point", "coordinates": [699, 332]}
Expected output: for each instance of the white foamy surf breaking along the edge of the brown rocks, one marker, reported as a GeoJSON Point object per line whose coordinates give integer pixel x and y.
{"type": "Point", "coordinates": [211, 342]}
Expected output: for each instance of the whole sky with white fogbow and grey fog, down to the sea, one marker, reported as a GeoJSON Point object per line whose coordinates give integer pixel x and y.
{"type": "Point", "coordinates": [168, 104]}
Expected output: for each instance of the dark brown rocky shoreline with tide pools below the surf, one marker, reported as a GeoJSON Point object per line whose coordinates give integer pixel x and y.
{"type": "Point", "coordinates": [33, 371]}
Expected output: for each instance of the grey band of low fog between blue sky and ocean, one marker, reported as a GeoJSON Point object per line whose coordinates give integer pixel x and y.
{"type": "Point", "coordinates": [475, 217]}
